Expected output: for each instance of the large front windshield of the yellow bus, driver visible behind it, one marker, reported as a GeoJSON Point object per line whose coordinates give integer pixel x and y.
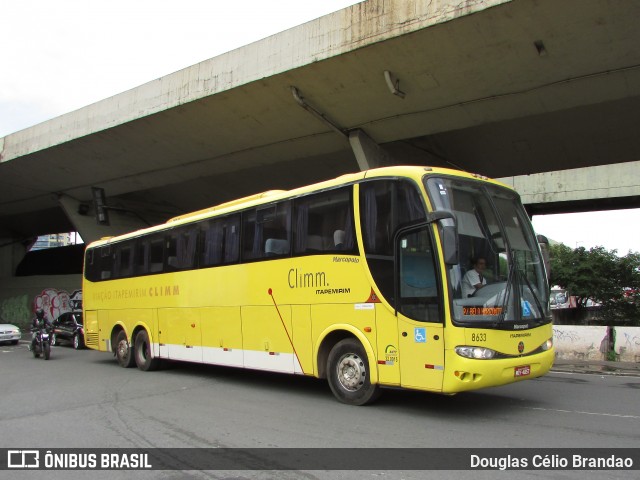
{"type": "Point", "coordinates": [500, 280]}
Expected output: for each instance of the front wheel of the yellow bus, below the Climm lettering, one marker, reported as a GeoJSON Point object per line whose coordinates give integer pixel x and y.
{"type": "Point", "coordinates": [348, 373]}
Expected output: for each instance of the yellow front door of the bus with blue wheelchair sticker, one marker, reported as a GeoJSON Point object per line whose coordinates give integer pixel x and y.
{"type": "Point", "coordinates": [420, 328]}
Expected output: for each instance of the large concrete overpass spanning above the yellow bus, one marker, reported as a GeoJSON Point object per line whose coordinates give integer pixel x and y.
{"type": "Point", "coordinates": [504, 88]}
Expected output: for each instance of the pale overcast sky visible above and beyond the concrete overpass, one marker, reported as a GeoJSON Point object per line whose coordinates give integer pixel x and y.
{"type": "Point", "coordinates": [61, 55]}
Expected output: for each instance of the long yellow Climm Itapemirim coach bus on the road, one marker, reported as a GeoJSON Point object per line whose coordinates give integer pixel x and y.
{"type": "Point", "coordinates": [361, 280]}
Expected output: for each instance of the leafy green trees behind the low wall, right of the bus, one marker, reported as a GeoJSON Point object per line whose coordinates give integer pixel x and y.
{"type": "Point", "coordinates": [602, 277]}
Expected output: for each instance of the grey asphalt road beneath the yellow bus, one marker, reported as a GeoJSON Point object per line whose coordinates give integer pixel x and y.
{"type": "Point", "coordinates": [83, 399]}
